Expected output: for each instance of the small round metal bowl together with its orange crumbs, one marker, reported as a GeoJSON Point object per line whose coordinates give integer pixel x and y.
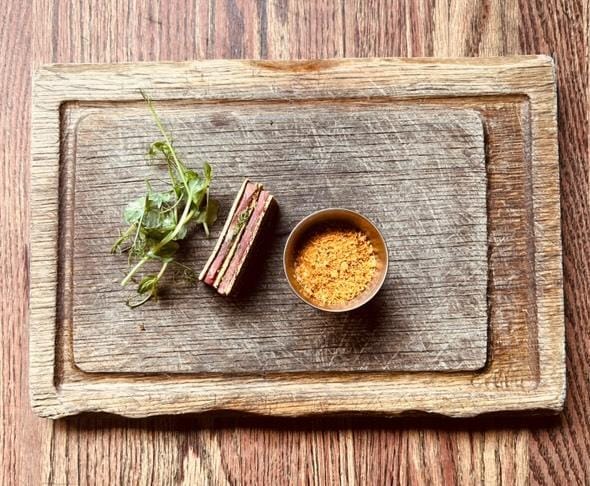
{"type": "Point", "coordinates": [335, 260]}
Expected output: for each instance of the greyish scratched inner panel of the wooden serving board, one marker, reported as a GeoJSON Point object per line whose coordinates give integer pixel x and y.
{"type": "Point", "coordinates": [418, 173]}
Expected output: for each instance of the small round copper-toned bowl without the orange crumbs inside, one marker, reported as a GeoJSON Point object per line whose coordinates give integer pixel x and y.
{"type": "Point", "coordinates": [336, 216]}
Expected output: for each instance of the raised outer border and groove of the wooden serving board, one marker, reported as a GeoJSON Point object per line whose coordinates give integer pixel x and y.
{"type": "Point", "coordinates": [516, 100]}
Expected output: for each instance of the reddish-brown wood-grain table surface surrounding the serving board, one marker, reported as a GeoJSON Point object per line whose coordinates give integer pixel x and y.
{"type": "Point", "coordinates": [250, 450]}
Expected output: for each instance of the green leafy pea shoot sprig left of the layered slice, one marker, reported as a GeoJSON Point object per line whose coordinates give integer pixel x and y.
{"type": "Point", "coordinates": [159, 219]}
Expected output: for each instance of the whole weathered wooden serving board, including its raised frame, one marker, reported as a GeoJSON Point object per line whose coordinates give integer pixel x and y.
{"type": "Point", "coordinates": [456, 162]}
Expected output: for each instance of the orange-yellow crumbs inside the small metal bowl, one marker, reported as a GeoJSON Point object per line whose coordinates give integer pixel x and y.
{"type": "Point", "coordinates": [334, 265]}
